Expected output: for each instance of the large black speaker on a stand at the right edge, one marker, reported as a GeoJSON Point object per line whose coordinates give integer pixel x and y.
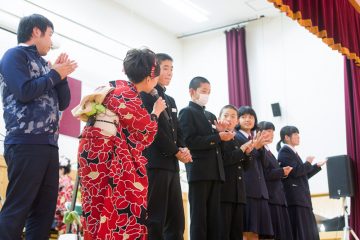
{"type": "Point", "coordinates": [340, 176]}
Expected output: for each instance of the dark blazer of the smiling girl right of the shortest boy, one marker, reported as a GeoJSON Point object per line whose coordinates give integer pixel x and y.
{"type": "Point", "coordinates": [254, 176]}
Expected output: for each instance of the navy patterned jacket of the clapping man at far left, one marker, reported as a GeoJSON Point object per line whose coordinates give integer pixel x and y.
{"type": "Point", "coordinates": [33, 96]}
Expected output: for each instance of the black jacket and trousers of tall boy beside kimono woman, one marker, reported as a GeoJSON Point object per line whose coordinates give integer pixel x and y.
{"type": "Point", "coordinates": [165, 206]}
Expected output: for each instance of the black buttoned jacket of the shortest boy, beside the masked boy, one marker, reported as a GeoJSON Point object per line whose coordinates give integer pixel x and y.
{"type": "Point", "coordinates": [235, 162]}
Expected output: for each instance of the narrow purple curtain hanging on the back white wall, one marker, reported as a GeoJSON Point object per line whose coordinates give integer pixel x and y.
{"type": "Point", "coordinates": [238, 79]}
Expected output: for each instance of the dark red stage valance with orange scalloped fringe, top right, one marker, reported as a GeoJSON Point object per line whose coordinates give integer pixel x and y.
{"type": "Point", "coordinates": [337, 22]}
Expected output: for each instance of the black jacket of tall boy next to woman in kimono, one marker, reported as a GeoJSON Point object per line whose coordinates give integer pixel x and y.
{"type": "Point", "coordinates": [161, 153]}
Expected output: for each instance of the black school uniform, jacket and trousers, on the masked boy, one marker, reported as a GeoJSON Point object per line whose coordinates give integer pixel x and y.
{"type": "Point", "coordinates": [205, 174]}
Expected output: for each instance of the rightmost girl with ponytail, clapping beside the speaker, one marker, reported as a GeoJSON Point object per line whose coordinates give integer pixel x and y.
{"type": "Point", "coordinates": [296, 185]}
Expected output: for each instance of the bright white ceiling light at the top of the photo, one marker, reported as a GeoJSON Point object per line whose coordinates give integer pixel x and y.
{"type": "Point", "coordinates": [189, 9]}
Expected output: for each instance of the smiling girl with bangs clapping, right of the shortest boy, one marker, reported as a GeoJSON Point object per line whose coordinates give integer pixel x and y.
{"type": "Point", "coordinates": [257, 223]}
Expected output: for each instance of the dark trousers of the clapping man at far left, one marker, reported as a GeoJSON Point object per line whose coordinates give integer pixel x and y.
{"type": "Point", "coordinates": [33, 173]}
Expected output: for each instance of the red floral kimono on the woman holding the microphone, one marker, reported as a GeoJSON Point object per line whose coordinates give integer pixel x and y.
{"type": "Point", "coordinates": [112, 170]}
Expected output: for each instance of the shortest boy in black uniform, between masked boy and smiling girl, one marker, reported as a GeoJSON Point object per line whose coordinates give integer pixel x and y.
{"type": "Point", "coordinates": [236, 159]}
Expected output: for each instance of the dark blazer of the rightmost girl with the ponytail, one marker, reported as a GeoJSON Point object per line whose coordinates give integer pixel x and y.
{"type": "Point", "coordinates": [296, 185]}
